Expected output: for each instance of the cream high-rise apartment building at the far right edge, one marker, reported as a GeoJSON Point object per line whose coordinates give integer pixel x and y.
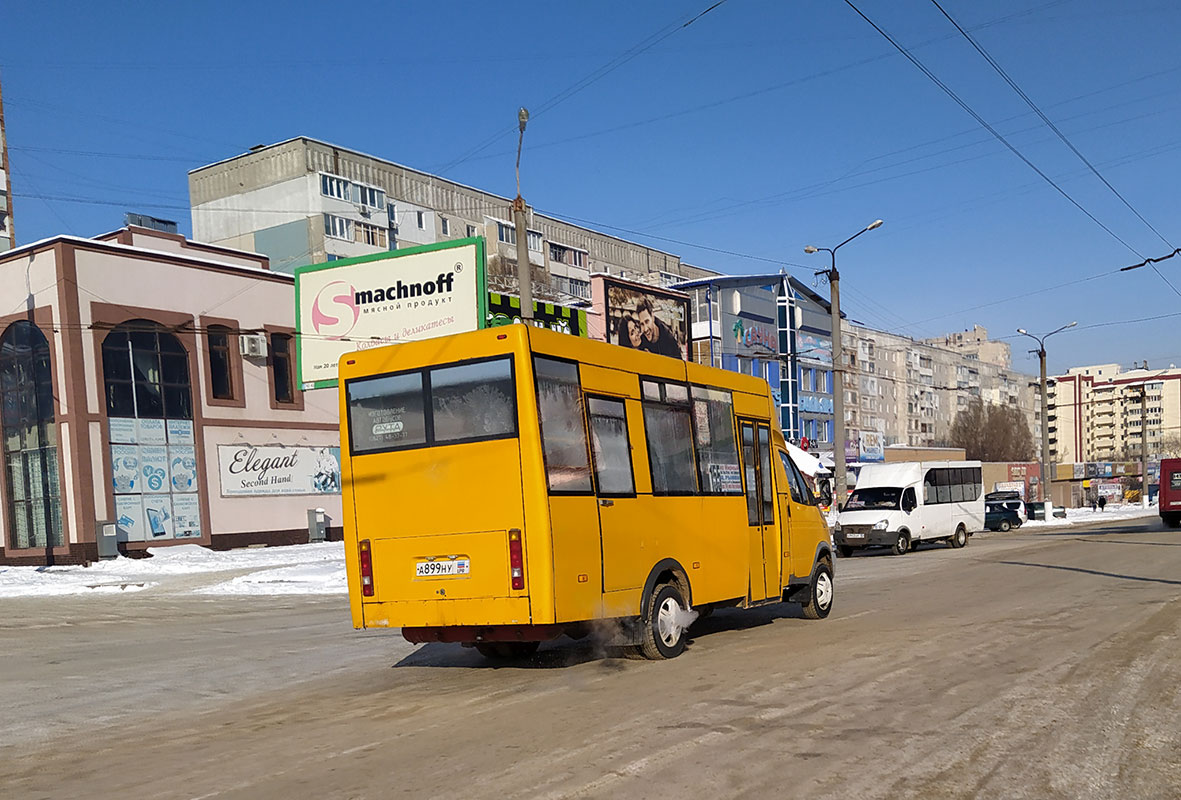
{"type": "Point", "coordinates": [1101, 413]}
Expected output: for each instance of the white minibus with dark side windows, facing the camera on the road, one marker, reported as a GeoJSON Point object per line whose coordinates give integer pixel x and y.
{"type": "Point", "coordinates": [901, 505]}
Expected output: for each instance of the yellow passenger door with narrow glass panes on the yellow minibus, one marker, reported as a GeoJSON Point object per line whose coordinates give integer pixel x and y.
{"type": "Point", "coordinates": [765, 535]}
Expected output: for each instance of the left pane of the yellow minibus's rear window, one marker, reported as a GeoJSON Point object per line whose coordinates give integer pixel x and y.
{"type": "Point", "coordinates": [387, 413]}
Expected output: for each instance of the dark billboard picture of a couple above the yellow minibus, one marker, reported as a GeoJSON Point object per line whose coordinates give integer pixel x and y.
{"type": "Point", "coordinates": [648, 318]}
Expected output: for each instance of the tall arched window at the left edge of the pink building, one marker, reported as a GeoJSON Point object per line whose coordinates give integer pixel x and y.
{"type": "Point", "coordinates": [30, 439]}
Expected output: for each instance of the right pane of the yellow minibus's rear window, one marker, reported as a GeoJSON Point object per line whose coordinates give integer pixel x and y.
{"type": "Point", "coordinates": [474, 401]}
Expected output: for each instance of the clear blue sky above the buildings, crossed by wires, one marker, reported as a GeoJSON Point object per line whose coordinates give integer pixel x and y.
{"type": "Point", "coordinates": [759, 129]}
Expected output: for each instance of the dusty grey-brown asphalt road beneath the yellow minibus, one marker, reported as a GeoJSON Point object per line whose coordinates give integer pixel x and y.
{"type": "Point", "coordinates": [1026, 666]}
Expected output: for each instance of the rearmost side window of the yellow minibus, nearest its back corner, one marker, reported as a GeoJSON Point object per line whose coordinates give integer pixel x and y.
{"type": "Point", "coordinates": [564, 433]}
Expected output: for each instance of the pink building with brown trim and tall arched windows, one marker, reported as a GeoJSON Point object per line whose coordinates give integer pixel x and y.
{"type": "Point", "coordinates": [151, 382]}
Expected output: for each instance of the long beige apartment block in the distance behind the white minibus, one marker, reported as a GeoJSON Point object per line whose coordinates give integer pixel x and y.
{"type": "Point", "coordinates": [910, 392]}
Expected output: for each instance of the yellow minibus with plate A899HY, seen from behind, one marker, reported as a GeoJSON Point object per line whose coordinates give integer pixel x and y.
{"type": "Point", "coordinates": [513, 485]}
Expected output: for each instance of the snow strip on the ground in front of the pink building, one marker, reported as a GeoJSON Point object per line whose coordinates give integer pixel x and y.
{"type": "Point", "coordinates": [316, 569]}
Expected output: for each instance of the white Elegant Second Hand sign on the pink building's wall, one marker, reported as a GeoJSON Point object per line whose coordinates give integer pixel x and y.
{"type": "Point", "coordinates": [252, 471]}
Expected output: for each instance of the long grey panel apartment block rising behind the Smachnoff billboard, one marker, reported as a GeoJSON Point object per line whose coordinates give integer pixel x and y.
{"type": "Point", "coordinates": [305, 201]}
